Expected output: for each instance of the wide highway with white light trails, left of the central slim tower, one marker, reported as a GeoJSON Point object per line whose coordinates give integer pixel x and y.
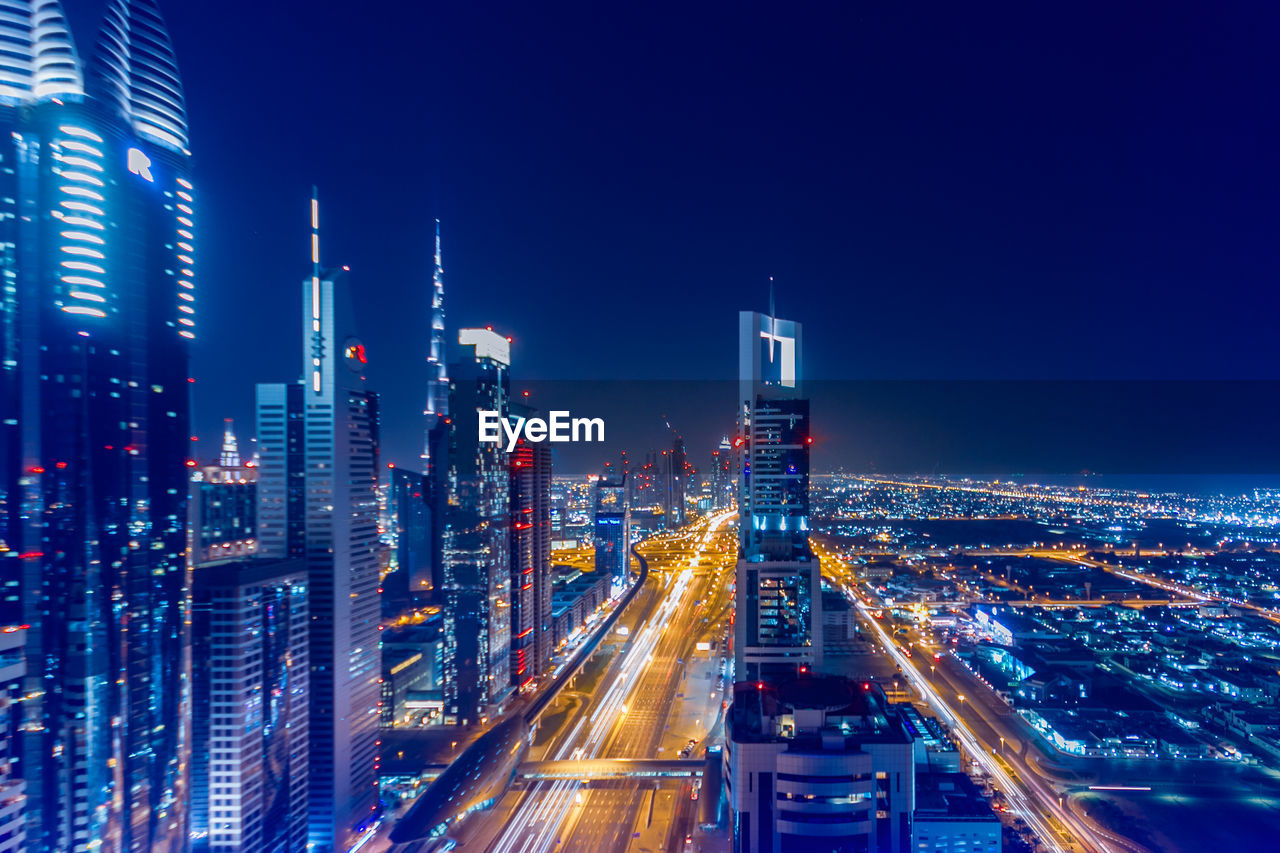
{"type": "Point", "coordinates": [627, 714]}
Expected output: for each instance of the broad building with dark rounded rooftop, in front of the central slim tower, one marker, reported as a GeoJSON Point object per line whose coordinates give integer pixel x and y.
{"type": "Point", "coordinates": [819, 763]}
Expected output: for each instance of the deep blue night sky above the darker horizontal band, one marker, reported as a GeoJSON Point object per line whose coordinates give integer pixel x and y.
{"type": "Point", "coordinates": [941, 191]}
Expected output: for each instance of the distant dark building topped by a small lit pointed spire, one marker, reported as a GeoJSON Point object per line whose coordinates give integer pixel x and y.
{"type": "Point", "coordinates": [223, 505]}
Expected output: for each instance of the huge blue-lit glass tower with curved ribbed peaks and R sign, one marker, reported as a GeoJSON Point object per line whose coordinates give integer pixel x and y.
{"type": "Point", "coordinates": [97, 318]}
